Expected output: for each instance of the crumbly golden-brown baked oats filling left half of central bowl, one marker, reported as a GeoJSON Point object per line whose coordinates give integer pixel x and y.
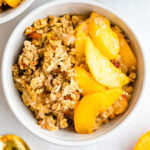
{"type": "Point", "coordinates": [44, 73]}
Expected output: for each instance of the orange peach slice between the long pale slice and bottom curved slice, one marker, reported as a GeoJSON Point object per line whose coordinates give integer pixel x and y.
{"type": "Point", "coordinates": [86, 82]}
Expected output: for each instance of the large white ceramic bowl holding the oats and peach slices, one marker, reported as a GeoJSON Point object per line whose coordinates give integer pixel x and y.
{"type": "Point", "coordinates": [13, 48]}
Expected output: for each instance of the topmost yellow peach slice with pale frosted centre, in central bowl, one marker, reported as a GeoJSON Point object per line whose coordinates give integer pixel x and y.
{"type": "Point", "coordinates": [102, 35]}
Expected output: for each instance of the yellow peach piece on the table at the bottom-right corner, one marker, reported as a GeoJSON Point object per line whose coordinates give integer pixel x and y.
{"type": "Point", "coordinates": [144, 142]}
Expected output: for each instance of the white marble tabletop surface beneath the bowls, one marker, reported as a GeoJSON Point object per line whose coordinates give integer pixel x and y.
{"type": "Point", "coordinates": [138, 13]}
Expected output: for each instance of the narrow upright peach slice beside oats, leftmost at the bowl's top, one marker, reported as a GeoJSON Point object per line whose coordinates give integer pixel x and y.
{"type": "Point", "coordinates": [81, 35]}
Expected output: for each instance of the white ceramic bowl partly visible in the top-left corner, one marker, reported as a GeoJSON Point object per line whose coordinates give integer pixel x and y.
{"type": "Point", "coordinates": [14, 12]}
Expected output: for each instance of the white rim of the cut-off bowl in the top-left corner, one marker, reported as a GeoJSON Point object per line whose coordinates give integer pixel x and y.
{"type": "Point", "coordinates": [16, 12]}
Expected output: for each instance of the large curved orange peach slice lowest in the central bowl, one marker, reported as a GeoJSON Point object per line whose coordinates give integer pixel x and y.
{"type": "Point", "coordinates": [90, 106]}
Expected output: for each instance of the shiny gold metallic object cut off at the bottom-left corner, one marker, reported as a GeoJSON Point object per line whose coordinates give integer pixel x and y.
{"type": "Point", "coordinates": [10, 142]}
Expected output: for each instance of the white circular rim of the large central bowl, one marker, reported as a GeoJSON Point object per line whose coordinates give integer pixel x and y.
{"type": "Point", "coordinates": [126, 119]}
